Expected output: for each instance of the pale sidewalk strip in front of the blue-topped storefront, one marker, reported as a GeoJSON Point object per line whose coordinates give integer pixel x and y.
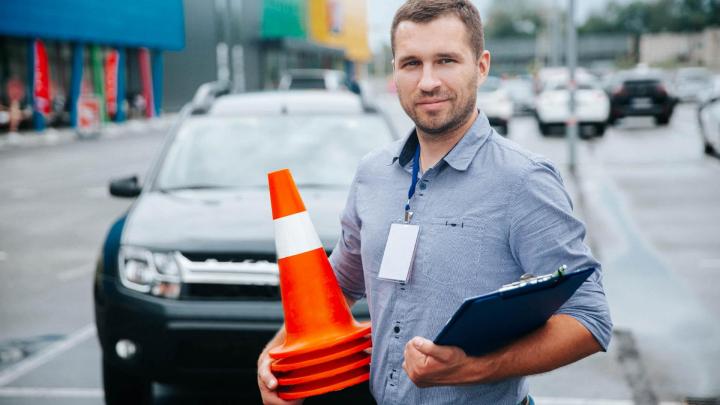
{"type": "Point", "coordinates": [56, 136]}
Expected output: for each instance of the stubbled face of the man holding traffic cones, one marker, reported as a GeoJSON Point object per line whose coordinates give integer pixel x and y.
{"type": "Point", "coordinates": [437, 73]}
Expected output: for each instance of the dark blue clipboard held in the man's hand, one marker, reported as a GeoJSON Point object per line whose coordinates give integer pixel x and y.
{"type": "Point", "coordinates": [488, 322]}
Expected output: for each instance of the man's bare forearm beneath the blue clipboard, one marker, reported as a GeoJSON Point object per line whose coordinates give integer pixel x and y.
{"type": "Point", "coordinates": [561, 341]}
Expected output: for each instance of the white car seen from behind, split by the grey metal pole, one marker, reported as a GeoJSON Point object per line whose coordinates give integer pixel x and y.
{"type": "Point", "coordinates": [592, 108]}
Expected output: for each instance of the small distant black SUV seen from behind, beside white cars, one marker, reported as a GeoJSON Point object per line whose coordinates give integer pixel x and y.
{"type": "Point", "coordinates": [641, 94]}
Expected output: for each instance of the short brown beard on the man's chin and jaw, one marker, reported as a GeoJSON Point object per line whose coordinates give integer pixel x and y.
{"type": "Point", "coordinates": [439, 124]}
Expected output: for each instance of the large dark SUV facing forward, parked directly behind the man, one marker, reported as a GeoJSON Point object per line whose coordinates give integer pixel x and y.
{"type": "Point", "coordinates": [186, 287]}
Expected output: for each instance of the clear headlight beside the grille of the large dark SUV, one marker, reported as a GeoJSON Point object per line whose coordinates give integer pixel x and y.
{"type": "Point", "coordinates": [154, 273]}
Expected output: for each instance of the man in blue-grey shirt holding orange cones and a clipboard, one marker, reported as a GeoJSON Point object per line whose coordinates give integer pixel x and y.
{"type": "Point", "coordinates": [488, 212]}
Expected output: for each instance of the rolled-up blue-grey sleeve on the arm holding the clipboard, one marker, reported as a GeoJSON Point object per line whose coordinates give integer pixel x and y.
{"type": "Point", "coordinates": [545, 235]}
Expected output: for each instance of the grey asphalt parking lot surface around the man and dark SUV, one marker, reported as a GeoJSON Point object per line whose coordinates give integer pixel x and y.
{"type": "Point", "coordinates": [649, 197]}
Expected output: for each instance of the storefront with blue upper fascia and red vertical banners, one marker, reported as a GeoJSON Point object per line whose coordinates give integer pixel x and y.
{"type": "Point", "coordinates": [67, 54]}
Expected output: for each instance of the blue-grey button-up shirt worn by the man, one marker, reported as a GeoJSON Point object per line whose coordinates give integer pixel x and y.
{"type": "Point", "coordinates": [488, 212]}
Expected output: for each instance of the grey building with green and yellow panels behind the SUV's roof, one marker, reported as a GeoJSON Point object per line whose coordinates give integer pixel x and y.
{"type": "Point", "coordinates": [250, 43]}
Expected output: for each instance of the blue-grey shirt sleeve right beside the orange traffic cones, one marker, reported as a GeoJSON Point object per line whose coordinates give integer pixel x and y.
{"type": "Point", "coordinates": [345, 259]}
